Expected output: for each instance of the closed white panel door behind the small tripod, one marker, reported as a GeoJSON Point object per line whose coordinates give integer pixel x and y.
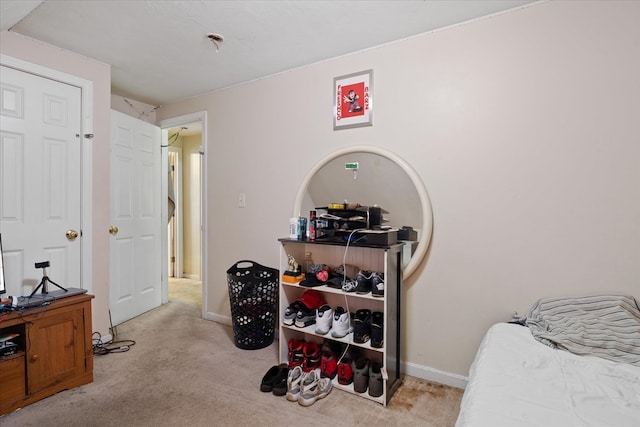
{"type": "Point", "coordinates": [40, 180]}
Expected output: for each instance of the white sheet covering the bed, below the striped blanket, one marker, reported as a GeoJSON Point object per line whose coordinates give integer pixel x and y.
{"type": "Point", "coordinates": [517, 381]}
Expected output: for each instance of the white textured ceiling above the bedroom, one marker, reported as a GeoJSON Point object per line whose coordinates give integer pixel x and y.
{"type": "Point", "coordinates": [159, 51]}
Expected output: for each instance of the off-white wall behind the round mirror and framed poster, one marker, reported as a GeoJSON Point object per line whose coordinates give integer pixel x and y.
{"type": "Point", "coordinates": [524, 129]}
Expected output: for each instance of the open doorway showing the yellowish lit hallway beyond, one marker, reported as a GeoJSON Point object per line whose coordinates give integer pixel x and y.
{"type": "Point", "coordinates": [183, 156]}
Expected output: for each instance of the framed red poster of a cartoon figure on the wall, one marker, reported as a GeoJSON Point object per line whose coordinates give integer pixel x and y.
{"type": "Point", "coordinates": [353, 100]}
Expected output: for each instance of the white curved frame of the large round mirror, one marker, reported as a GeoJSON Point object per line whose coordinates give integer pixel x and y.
{"type": "Point", "coordinates": [425, 202]}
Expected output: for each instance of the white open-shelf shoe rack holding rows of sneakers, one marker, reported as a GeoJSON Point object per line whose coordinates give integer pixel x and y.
{"type": "Point", "coordinates": [382, 259]}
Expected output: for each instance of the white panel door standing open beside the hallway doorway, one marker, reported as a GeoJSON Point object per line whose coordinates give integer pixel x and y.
{"type": "Point", "coordinates": [135, 209]}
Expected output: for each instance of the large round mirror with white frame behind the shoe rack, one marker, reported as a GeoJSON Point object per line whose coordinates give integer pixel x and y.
{"type": "Point", "coordinates": [372, 176]}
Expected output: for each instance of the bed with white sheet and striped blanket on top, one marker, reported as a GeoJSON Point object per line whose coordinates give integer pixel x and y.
{"type": "Point", "coordinates": [524, 374]}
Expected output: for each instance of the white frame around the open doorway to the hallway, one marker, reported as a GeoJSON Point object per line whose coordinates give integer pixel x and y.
{"type": "Point", "coordinates": [165, 125]}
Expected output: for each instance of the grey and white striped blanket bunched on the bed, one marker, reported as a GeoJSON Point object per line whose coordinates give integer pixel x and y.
{"type": "Point", "coordinates": [607, 326]}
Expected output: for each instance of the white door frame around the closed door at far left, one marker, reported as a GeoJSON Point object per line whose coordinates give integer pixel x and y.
{"type": "Point", "coordinates": [86, 201]}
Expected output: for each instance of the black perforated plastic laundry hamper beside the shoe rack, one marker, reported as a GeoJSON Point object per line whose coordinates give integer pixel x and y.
{"type": "Point", "coordinates": [253, 296]}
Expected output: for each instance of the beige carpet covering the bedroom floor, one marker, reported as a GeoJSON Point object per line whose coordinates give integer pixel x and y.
{"type": "Point", "coordinates": [186, 371]}
